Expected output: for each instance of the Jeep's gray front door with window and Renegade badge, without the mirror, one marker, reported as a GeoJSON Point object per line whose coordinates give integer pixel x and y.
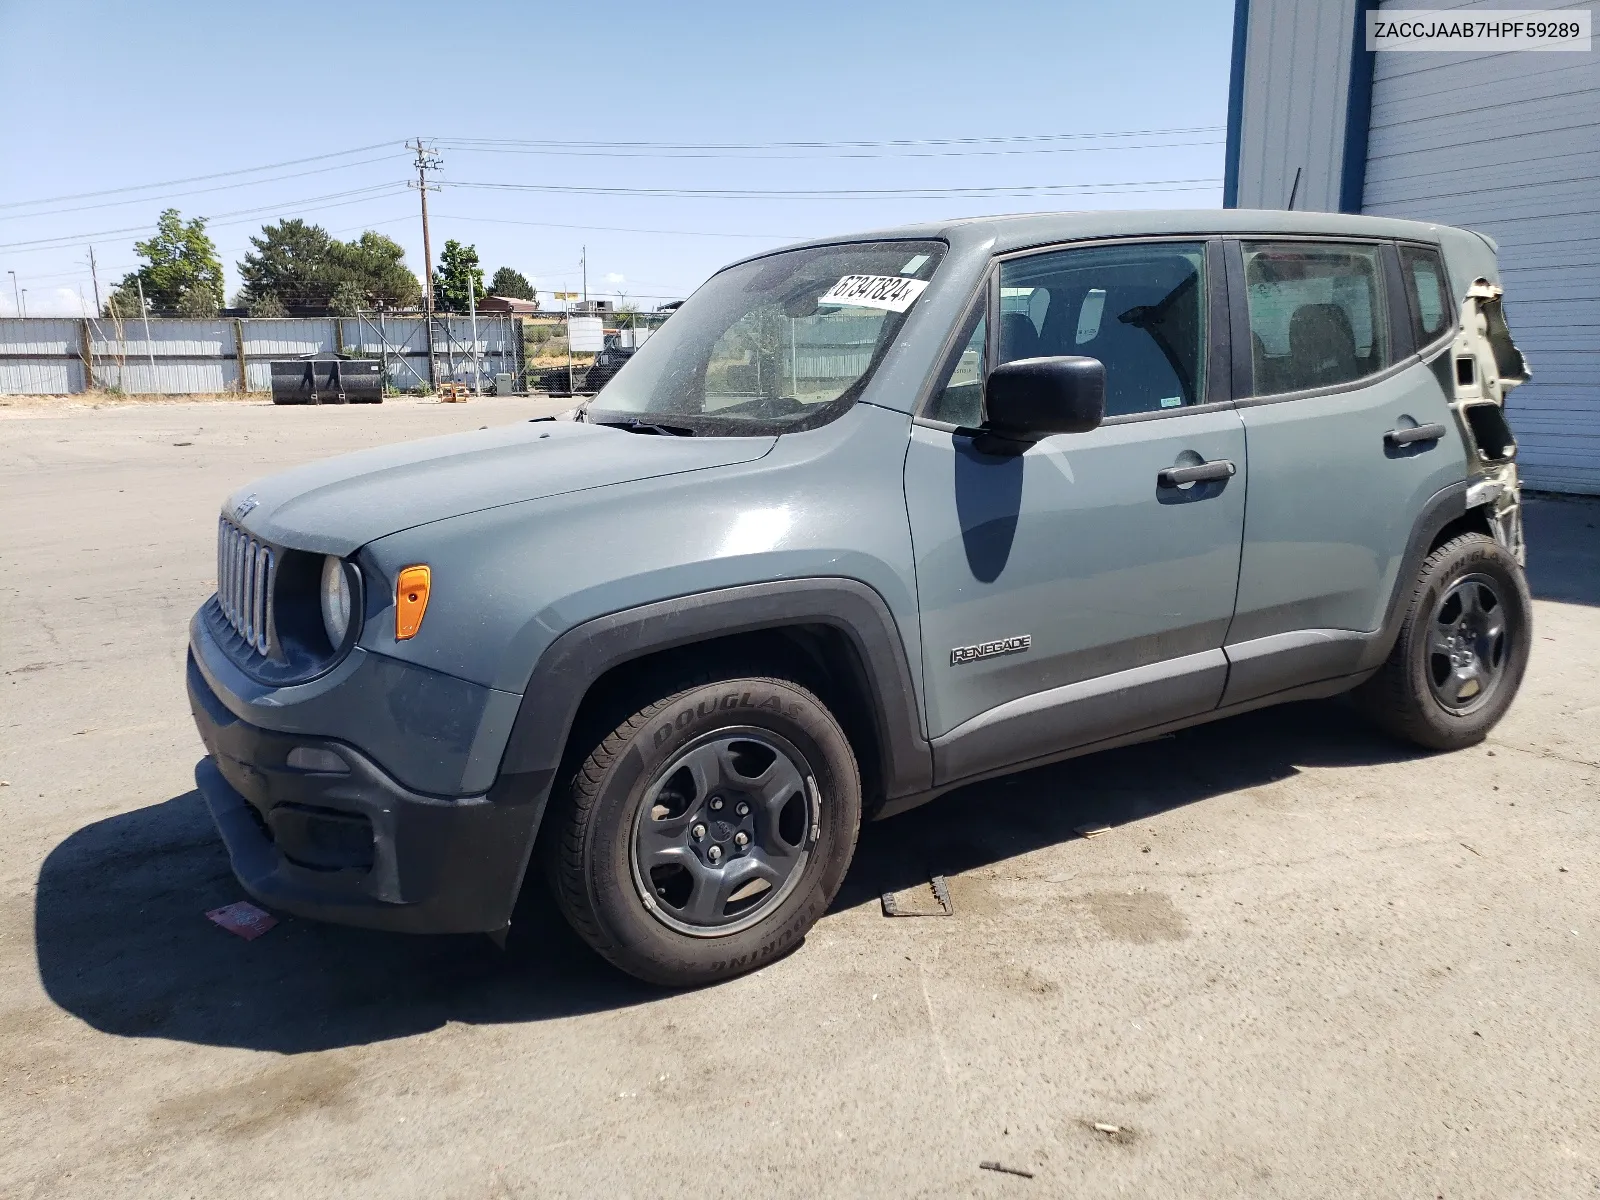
{"type": "Point", "coordinates": [1070, 594]}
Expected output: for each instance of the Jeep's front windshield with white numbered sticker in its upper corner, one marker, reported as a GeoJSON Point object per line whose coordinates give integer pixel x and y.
{"type": "Point", "coordinates": [772, 346]}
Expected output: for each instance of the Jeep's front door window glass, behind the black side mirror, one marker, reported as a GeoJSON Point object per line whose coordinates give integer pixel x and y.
{"type": "Point", "coordinates": [1137, 308]}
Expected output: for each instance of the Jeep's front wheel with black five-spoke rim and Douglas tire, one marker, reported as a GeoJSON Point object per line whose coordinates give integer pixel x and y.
{"type": "Point", "coordinates": [706, 834]}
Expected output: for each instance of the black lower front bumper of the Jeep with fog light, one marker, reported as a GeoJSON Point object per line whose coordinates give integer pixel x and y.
{"type": "Point", "coordinates": [356, 847]}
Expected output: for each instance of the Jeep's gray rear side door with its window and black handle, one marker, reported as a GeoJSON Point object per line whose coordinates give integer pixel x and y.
{"type": "Point", "coordinates": [1338, 409]}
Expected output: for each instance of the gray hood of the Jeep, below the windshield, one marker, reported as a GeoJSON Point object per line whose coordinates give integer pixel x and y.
{"type": "Point", "coordinates": [340, 505]}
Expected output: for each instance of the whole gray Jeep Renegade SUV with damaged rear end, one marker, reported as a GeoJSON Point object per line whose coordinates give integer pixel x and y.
{"type": "Point", "coordinates": [866, 521]}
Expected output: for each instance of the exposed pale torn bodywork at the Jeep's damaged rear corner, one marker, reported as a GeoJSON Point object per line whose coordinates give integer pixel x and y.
{"type": "Point", "coordinates": [1486, 366]}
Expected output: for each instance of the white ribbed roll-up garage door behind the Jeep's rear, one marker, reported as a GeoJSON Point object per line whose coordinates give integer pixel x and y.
{"type": "Point", "coordinates": [1508, 145]}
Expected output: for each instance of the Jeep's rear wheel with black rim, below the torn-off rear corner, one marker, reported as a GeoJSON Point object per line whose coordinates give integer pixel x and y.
{"type": "Point", "coordinates": [1462, 652]}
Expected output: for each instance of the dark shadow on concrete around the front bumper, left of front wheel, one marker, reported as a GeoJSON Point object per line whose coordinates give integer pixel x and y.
{"type": "Point", "coordinates": [124, 945]}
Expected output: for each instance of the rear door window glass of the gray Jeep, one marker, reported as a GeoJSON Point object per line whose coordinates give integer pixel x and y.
{"type": "Point", "coordinates": [1316, 314]}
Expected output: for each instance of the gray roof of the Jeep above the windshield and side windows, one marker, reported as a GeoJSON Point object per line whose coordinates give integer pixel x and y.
{"type": "Point", "coordinates": [1038, 230]}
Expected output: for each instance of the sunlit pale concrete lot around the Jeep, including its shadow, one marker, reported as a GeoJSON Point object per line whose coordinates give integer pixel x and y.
{"type": "Point", "coordinates": [1305, 962]}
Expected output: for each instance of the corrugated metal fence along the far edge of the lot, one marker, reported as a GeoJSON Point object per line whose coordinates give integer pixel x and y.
{"type": "Point", "coordinates": [62, 356]}
